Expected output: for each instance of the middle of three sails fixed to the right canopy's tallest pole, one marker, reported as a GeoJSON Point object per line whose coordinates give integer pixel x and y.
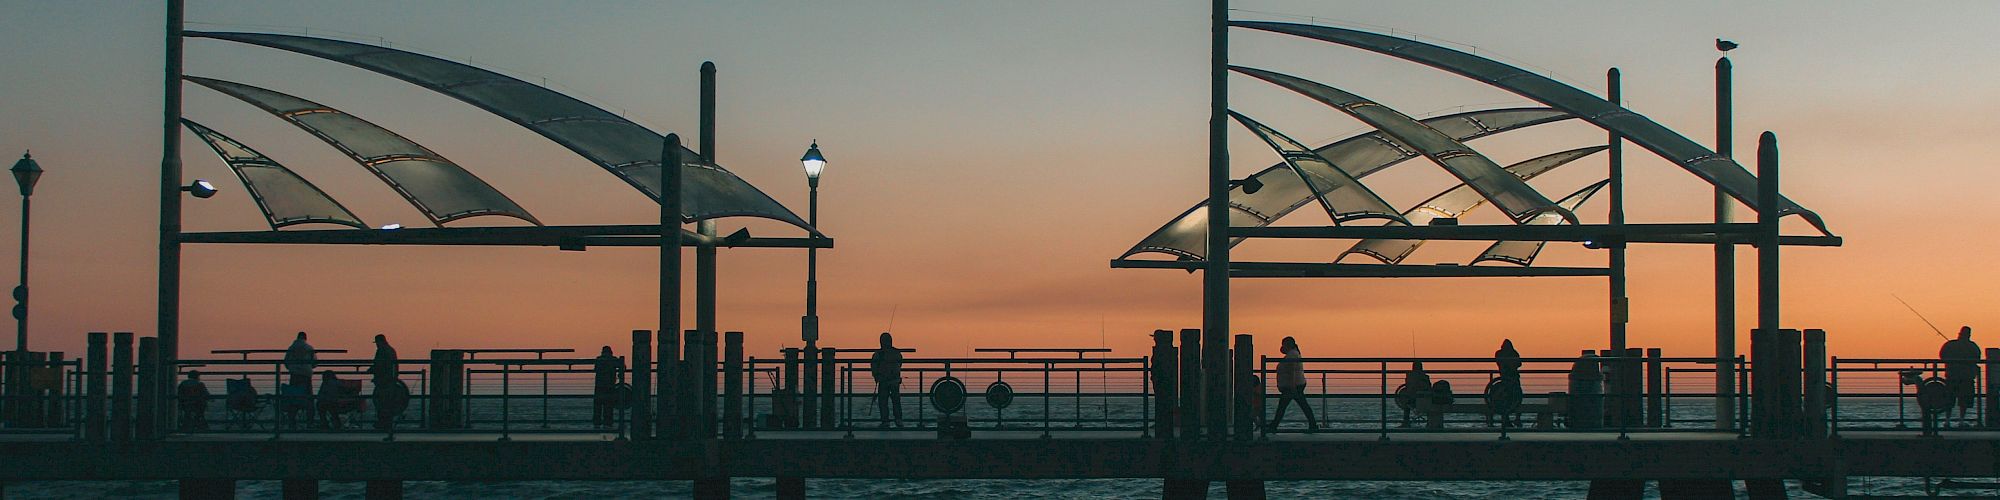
{"type": "Point", "coordinates": [1507, 193]}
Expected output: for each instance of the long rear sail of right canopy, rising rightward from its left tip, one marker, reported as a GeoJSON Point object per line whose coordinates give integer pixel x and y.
{"type": "Point", "coordinates": [1363, 155]}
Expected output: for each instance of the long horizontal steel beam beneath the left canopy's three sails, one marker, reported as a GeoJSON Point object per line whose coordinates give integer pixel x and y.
{"type": "Point", "coordinates": [563, 237]}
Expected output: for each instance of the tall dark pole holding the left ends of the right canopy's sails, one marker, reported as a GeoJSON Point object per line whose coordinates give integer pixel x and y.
{"type": "Point", "coordinates": [1217, 271]}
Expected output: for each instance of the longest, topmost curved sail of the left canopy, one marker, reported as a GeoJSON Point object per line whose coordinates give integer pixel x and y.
{"type": "Point", "coordinates": [611, 141]}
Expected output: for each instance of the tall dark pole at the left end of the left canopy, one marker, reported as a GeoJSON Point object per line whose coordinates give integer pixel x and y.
{"type": "Point", "coordinates": [169, 295]}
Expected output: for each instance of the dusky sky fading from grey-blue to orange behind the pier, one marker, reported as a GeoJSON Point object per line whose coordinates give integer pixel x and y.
{"type": "Point", "coordinates": [989, 159]}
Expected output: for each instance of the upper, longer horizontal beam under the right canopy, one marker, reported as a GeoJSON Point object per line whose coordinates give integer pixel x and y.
{"type": "Point", "coordinates": [1739, 233]}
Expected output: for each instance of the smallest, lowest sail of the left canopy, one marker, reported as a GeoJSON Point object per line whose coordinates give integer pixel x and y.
{"type": "Point", "coordinates": [285, 197]}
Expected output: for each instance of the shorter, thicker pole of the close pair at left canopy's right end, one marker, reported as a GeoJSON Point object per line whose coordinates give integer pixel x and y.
{"type": "Point", "coordinates": [669, 275]}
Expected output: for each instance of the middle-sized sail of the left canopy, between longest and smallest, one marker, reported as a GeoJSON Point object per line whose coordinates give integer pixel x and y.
{"type": "Point", "coordinates": [437, 187]}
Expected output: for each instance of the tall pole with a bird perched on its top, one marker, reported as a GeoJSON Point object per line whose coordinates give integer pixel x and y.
{"type": "Point", "coordinates": [1725, 259]}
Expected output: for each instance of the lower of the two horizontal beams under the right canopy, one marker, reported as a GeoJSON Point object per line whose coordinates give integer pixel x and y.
{"type": "Point", "coordinates": [1361, 271]}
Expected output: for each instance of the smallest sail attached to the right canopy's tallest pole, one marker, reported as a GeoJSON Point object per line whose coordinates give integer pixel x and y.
{"type": "Point", "coordinates": [1343, 197]}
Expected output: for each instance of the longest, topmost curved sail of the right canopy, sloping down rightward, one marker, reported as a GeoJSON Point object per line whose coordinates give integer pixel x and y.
{"type": "Point", "coordinates": [1717, 169]}
